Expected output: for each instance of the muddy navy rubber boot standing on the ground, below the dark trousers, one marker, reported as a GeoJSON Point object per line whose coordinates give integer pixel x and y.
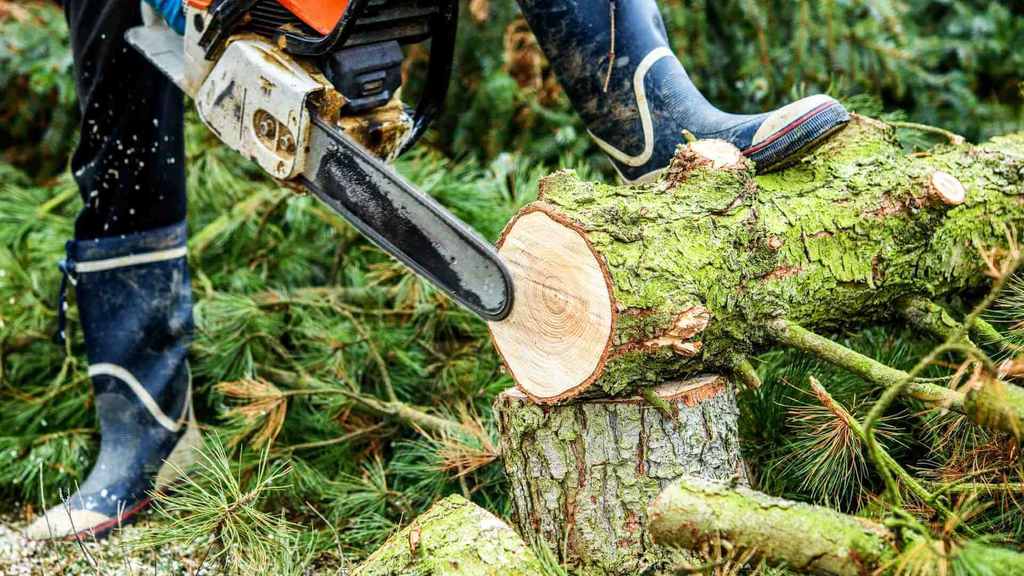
{"type": "Point", "coordinates": [135, 301]}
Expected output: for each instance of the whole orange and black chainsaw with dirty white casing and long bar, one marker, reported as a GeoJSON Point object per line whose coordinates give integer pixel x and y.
{"type": "Point", "coordinates": [311, 91]}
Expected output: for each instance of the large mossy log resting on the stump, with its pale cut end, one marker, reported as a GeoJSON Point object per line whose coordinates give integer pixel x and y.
{"type": "Point", "coordinates": [620, 287]}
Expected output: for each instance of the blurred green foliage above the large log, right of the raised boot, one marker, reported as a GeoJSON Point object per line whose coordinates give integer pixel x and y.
{"type": "Point", "coordinates": [950, 64]}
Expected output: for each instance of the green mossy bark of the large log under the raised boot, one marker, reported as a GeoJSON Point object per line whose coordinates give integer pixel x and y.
{"type": "Point", "coordinates": [834, 242]}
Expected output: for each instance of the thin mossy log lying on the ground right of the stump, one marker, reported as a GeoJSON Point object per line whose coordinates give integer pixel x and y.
{"type": "Point", "coordinates": [809, 540]}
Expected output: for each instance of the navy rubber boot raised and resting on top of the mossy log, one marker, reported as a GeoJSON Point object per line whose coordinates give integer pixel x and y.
{"type": "Point", "coordinates": [637, 109]}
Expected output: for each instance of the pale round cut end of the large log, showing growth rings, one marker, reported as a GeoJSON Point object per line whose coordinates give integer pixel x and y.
{"type": "Point", "coordinates": [556, 341]}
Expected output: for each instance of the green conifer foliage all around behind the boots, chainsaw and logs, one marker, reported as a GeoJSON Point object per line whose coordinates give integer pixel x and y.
{"type": "Point", "coordinates": [347, 396]}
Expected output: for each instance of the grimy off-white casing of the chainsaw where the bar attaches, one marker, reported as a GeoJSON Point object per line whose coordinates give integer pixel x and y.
{"type": "Point", "coordinates": [261, 100]}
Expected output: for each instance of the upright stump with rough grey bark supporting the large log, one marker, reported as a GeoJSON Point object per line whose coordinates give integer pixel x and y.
{"type": "Point", "coordinates": [583, 474]}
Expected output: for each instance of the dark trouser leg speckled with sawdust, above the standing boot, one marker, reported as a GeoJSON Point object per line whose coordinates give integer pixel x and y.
{"type": "Point", "coordinates": [131, 161]}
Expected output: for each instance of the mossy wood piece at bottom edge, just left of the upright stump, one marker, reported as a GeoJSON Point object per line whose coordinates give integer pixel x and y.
{"type": "Point", "coordinates": [455, 537]}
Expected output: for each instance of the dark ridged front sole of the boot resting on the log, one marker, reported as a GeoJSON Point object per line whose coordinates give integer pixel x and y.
{"type": "Point", "coordinates": [798, 139]}
